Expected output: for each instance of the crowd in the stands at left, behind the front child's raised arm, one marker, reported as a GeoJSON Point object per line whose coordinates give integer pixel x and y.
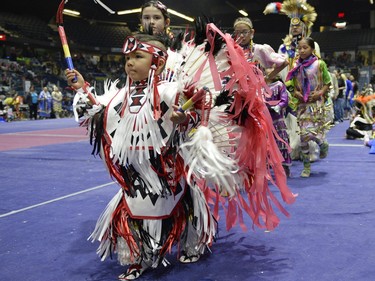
{"type": "Point", "coordinates": [22, 69]}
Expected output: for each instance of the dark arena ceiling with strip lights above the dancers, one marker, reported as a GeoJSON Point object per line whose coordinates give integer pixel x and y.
{"type": "Point", "coordinates": [224, 12]}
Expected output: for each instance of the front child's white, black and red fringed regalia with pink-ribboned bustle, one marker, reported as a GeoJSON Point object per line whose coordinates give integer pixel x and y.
{"type": "Point", "coordinates": [172, 178]}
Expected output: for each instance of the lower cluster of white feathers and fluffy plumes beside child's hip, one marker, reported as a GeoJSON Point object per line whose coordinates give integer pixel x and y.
{"type": "Point", "coordinates": [208, 154]}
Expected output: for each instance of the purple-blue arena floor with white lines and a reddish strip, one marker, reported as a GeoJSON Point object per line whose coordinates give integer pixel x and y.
{"type": "Point", "coordinates": [52, 191]}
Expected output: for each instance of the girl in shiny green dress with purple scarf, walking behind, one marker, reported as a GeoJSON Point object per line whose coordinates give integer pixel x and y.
{"type": "Point", "coordinates": [311, 81]}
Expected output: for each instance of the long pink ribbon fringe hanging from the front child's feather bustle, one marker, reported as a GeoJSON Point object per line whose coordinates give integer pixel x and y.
{"type": "Point", "coordinates": [258, 154]}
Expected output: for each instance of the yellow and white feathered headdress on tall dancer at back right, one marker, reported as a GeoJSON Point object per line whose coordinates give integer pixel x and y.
{"type": "Point", "coordinates": [297, 10]}
